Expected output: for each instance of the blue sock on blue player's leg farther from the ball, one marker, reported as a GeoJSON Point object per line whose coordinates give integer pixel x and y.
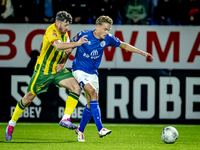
{"type": "Point", "coordinates": [86, 116]}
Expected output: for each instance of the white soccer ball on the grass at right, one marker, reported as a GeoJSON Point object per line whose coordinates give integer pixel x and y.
{"type": "Point", "coordinates": [169, 135]}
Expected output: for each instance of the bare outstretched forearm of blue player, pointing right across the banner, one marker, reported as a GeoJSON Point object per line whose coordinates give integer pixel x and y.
{"type": "Point", "coordinates": [133, 49]}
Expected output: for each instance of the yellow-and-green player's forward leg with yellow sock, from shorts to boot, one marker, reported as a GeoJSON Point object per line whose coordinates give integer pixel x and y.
{"type": "Point", "coordinates": [67, 80]}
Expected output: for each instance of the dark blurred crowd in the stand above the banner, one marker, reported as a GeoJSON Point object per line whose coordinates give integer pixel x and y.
{"type": "Point", "coordinates": [135, 12]}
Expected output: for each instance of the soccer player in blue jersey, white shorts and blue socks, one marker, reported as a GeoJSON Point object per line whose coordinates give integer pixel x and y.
{"type": "Point", "coordinates": [86, 62]}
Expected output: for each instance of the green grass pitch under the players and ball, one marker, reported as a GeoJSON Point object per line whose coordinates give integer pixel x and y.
{"type": "Point", "coordinates": [50, 136]}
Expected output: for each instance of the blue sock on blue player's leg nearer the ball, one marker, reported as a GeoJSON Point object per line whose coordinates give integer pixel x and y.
{"type": "Point", "coordinates": [96, 113]}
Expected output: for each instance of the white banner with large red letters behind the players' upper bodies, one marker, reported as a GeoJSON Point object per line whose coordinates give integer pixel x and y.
{"type": "Point", "coordinates": [173, 47]}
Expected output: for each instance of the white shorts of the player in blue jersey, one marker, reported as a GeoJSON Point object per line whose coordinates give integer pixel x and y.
{"type": "Point", "coordinates": [84, 78]}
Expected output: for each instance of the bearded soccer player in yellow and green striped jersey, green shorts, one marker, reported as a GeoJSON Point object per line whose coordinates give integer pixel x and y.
{"type": "Point", "coordinates": [49, 69]}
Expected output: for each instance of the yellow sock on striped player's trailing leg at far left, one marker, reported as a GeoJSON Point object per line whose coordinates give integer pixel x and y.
{"type": "Point", "coordinates": [18, 111]}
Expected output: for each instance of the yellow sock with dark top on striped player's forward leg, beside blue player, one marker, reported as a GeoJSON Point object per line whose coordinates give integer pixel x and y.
{"type": "Point", "coordinates": [71, 102]}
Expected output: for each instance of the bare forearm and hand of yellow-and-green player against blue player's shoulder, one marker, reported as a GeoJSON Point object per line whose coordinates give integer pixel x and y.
{"type": "Point", "coordinates": [65, 45]}
